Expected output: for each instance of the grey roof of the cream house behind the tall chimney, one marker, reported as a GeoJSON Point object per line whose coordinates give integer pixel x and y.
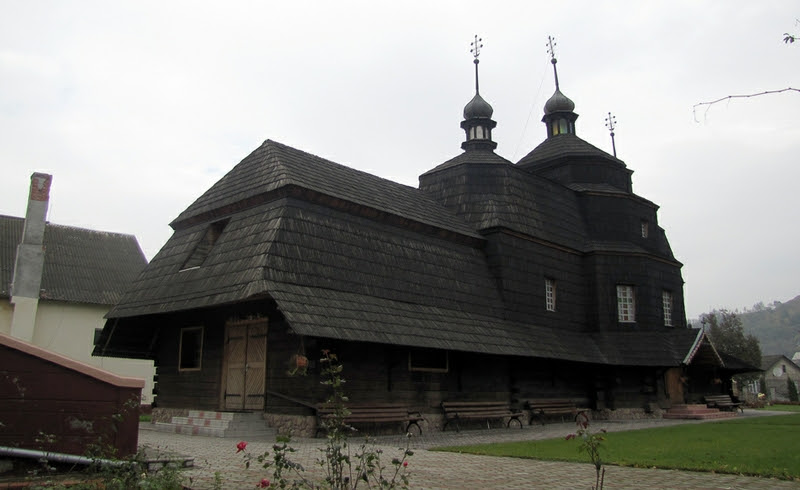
{"type": "Point", "coordinates": [80, 265]}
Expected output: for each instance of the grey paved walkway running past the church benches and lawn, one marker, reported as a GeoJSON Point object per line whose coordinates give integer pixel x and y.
{"type": "Point", "coordinates": [445, 470]}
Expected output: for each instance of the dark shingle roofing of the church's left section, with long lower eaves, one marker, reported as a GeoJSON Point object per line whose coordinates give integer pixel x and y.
{"type": "Point", "coordinates": [340, 266]}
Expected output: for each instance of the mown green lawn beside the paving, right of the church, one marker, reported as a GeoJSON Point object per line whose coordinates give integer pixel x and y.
{"type": "Point", "coordinates": [759, 446]}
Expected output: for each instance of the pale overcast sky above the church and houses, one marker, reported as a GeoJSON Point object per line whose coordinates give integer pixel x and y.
{"type": "Point", "coordinates": [138, 107]}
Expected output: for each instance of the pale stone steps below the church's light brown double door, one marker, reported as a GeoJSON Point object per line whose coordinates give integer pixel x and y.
{"type": "Point", "coordinates": [219, 424]}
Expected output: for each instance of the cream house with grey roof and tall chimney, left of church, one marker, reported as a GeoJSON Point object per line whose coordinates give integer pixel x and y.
{"type": "Point", "coordinates": [58, 282]}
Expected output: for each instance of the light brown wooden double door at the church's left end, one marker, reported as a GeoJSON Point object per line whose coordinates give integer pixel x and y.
{"type": "Point", "coordinates": [245, 365]}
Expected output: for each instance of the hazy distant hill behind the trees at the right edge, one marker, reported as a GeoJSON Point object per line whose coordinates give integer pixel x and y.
{"type": "Point", "coordinates": [777, 326]}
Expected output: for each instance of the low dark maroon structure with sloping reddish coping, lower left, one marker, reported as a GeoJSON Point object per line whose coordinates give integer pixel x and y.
{"type": "Point", "coordinates": [52, 403]}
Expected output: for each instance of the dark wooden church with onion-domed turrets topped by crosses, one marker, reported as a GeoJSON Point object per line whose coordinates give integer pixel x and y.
{"type": "Point", "coordinates": [493, 280]}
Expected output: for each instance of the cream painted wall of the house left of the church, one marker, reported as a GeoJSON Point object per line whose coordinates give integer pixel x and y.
{"type": "Point", "coordinates": [68, 328]}
